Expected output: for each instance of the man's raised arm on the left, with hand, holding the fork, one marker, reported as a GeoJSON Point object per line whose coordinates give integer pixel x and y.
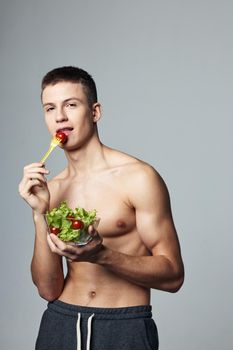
{"type": "Point", "coordinates": [46, 267]}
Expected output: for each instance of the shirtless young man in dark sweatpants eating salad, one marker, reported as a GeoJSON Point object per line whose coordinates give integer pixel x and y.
{"type": "Point", "coordinates": [104, 300]}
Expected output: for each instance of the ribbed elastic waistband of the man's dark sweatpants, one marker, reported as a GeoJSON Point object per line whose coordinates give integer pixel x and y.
{"type": "Point", "coordinates": [141, 311]}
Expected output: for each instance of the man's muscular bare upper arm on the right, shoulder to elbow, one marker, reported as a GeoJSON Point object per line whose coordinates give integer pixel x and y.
{"type": "Point", "coordinates": [154, 217]}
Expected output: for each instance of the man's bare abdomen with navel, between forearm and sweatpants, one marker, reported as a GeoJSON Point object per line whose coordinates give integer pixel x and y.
{"type": "Point", "coordinates": [92, 285]}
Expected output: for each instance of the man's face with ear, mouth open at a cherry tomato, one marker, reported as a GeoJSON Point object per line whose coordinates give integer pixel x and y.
{"type": "Point", "coordinates": [66, 109]}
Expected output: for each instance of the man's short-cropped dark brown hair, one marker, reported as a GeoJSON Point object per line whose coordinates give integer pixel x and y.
{"type": "Point", "coordinates": [73, 75]}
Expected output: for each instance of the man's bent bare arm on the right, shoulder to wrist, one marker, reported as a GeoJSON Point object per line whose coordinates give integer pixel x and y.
{"type": "Point", "coordinates": [164, 268]}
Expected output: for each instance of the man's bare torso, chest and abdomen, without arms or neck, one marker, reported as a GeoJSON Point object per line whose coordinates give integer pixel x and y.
{"type": "Point", "coordinates": [105, 190]}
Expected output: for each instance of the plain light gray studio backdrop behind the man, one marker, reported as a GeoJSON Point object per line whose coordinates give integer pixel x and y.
{"type": "Point", "coordinates": [165, 78]}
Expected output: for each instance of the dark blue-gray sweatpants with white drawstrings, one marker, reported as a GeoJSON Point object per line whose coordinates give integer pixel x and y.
{"type": "Point", "coordinates": [71, 327]}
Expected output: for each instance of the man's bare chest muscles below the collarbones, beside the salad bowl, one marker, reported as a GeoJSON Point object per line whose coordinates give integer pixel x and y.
{"type": "Point", "coordinates": [109, 198]}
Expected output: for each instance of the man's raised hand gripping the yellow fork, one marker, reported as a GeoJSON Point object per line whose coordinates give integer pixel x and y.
{"type": "Point", "coordinates": [33, 187]}
